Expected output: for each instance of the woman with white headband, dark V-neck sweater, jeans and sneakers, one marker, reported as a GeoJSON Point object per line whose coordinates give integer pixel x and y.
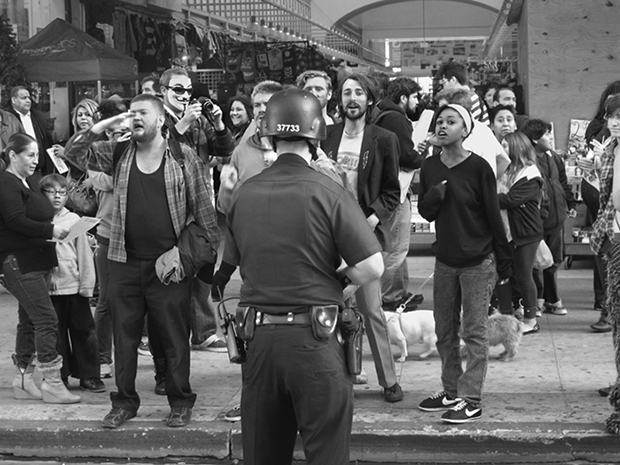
{"type": "Point", "coordinates": [458, 191]}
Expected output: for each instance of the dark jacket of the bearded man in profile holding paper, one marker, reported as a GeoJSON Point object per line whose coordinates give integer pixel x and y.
{"type": "Point", "coordinates": [393, 118]}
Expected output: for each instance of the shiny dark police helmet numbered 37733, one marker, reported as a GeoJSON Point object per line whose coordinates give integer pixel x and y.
{"type": "Point", "coordinates": [293, 114]}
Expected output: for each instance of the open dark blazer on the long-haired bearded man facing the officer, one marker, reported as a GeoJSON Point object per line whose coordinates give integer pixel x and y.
{"type": "Point", "coordinates": [377, 183]}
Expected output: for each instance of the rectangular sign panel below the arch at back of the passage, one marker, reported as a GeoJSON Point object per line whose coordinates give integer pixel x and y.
{"type": "Point", "coordinates": [435, 52]}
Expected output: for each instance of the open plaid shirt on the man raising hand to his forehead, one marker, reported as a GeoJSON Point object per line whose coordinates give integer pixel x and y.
{"type": "Point", "coordinates": [187, 191]}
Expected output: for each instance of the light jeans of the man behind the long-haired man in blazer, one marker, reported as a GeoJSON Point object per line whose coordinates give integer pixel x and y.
{"type": "Point", "coordinates": [396, 275]}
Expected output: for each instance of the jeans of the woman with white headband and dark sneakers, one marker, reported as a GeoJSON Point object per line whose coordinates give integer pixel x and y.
{"type": "Point", "coordinates": [470, 288]}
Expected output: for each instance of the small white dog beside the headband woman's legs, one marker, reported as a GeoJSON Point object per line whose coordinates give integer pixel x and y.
{"type": "Point", "coordinates": [410, 328]}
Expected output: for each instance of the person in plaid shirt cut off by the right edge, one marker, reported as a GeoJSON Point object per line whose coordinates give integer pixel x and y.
{"type": "Point", "coordinates": [603, 243]}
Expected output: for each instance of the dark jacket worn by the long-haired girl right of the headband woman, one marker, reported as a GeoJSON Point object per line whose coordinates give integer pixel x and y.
{"type": "Point", "coordinates": [521, 203]}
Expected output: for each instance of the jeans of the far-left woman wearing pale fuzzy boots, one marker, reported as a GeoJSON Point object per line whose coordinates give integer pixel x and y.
{"type": "Point", "coordinates": [37, 327]}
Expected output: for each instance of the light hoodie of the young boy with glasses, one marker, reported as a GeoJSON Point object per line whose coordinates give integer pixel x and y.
{"type": "Point", "coordinates": [75, 273]}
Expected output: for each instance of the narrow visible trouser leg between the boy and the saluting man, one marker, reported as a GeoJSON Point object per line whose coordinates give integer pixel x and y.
{"type": "Point", "coordinates": [103, 322]}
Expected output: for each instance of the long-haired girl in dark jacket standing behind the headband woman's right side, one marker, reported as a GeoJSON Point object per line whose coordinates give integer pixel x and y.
{"type": "Point", "coordinates": [523, 182]}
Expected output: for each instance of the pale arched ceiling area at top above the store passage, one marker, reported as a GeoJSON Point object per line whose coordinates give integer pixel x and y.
{"type": "Point", "coordinates": [401, 20]}
